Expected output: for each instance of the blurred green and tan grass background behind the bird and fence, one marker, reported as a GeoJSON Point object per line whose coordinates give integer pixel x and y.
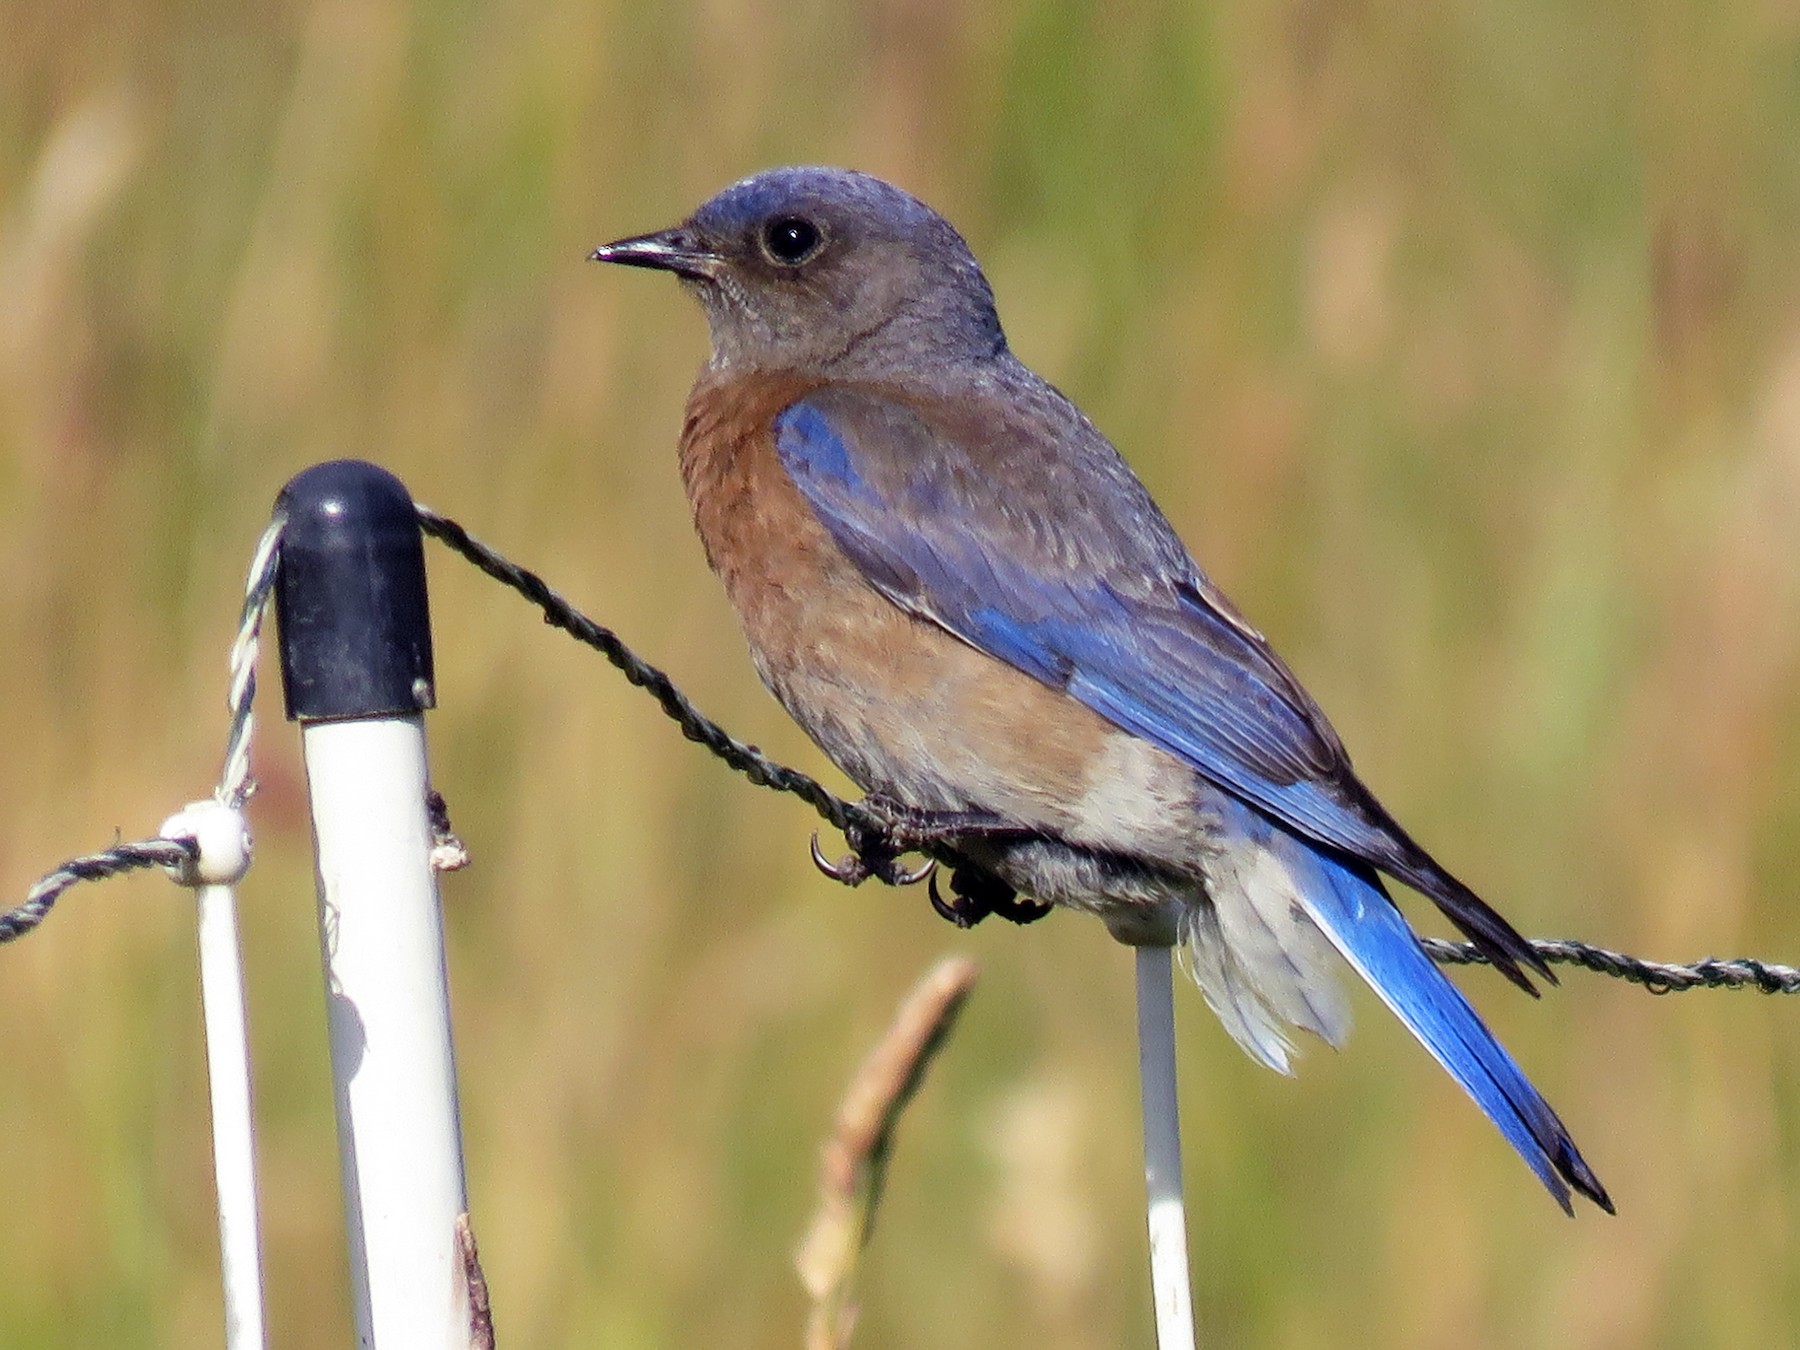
{"type": "Point", "coordinates": [1462, 341]}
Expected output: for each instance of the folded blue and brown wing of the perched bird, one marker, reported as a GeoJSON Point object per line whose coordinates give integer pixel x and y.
{"type": "Point", "coordinates": [1016, 526]}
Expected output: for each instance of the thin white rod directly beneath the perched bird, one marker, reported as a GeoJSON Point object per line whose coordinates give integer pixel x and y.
{"type": "Point", "coordinates": [1162, 1151]}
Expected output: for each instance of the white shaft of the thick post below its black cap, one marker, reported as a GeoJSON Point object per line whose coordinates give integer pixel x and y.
{"type": "Point", "coordinates": [390, 1020]}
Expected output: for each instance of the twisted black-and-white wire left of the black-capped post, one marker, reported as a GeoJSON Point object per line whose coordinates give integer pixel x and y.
{"type": "Point", "coordinates": [235, 786]}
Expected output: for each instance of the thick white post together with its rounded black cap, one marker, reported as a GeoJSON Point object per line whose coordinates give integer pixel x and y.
{"type": "Point", "coordinates": [357, 669]}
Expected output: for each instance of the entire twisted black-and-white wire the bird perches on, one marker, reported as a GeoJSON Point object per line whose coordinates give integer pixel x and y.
{"type": "Point", "coordinates": [237, 786]}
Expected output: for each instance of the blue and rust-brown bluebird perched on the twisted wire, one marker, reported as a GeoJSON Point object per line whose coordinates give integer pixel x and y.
{"type": "Point", "coordinates": [966, 597]}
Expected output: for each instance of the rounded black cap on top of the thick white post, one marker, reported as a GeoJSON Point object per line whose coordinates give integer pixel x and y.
{"type": "Point", "coordinates": [350, 595]}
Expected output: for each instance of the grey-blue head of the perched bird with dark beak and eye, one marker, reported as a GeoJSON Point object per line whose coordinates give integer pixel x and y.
{"type": "Point", "coordinates": [825, 269]}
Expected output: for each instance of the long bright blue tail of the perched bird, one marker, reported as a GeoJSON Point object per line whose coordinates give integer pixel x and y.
{"type": "Point", "coordinates": [1354, 912]}
